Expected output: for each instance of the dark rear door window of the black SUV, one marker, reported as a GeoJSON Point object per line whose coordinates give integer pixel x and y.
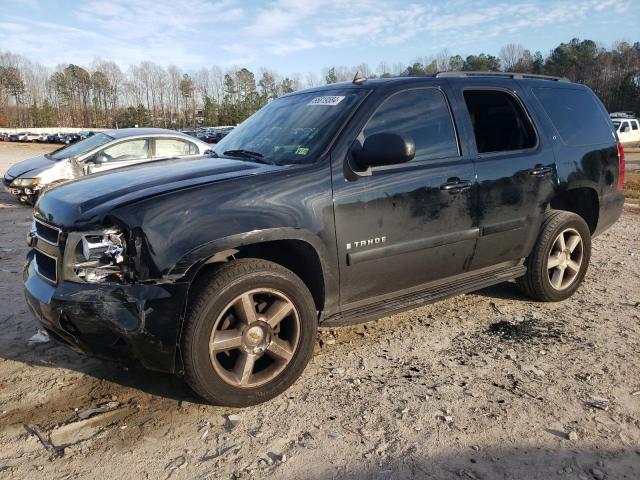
{"type": "Point", "coordinates": [499, 122]}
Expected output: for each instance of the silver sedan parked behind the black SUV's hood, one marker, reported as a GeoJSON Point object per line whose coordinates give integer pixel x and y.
{"type": "Point", "coordinates": [101, 152]}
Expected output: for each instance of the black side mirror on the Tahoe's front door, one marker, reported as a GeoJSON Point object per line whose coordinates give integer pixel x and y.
{"type": "Point", "coordinates": [385, 149]}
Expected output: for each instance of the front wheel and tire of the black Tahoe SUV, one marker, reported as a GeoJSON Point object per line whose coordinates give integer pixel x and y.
{"type": "Point", "coordinates": [280, 352]}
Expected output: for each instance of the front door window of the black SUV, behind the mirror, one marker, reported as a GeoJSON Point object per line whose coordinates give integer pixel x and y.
{"type": "Point", "coordinates": [422, 114]}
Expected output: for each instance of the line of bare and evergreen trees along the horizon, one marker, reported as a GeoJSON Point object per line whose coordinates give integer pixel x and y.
{"type": "Point", "coordinates": [147, 94]}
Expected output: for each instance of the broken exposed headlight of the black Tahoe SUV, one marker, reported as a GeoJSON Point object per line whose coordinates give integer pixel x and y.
{"type": "Point", "coordinates": [99, 256]}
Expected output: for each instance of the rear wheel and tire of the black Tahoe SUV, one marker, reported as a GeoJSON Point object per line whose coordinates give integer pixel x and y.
{"type": "Point", "coordinates": [546, 283]}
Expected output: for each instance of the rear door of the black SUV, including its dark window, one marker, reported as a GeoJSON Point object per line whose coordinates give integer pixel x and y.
{"type": "Point", "coordinates": [515, 167]}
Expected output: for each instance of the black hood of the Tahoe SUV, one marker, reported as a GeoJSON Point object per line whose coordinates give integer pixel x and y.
{"type": "Point", "coordinates": [86, 200]}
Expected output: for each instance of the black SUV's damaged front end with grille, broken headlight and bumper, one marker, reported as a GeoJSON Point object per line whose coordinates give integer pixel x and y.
{"type": "Point", "coordinates": [85, 289]}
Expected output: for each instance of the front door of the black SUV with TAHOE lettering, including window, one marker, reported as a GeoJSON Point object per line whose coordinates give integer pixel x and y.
{"type": "Point", "coordinates": [400, 226]}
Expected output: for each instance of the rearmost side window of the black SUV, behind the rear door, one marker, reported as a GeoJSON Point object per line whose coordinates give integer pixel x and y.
{"type": "Point", "coordinates": [576, 115]}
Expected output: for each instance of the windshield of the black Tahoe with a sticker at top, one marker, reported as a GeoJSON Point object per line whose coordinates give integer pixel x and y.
{"type": "Point", "coordinates": [292, 129]}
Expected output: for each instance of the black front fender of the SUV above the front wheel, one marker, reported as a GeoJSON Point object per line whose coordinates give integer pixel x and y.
{"type": "Point", "coordinates": [185, 227]}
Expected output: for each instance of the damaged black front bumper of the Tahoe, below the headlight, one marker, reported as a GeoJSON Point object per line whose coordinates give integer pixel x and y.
{"type": "Point", "coordinates": [125, 322]}
